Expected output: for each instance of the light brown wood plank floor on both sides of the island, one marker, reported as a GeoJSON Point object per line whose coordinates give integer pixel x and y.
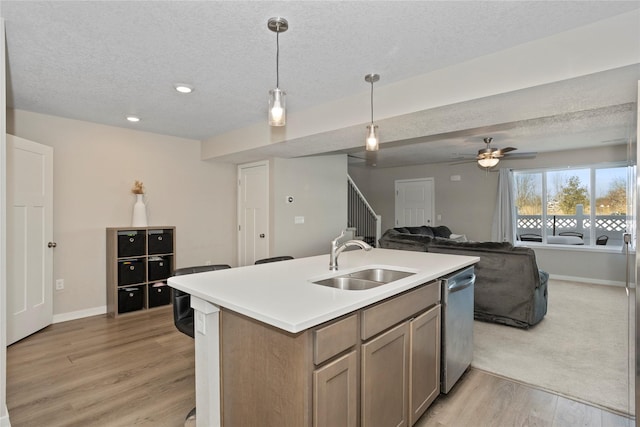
{"type": "Point", "coordinates": [139, 370]}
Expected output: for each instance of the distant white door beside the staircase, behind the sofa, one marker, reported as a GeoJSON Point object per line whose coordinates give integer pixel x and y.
{"type": "Point", "coordinates": [414, 202]}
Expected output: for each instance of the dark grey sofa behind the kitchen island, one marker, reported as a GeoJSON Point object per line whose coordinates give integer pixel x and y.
{"type": "Point", "coordinates": [509, 288]}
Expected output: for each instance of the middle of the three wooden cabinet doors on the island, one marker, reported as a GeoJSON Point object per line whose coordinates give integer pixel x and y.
{"type": "Point", "coordinates": [385, 376]}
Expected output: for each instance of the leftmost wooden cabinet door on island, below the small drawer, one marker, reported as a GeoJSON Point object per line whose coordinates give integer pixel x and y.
{"type": "Point", "coordinates": [335, 393]}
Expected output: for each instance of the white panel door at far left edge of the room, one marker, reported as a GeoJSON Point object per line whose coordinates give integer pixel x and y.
{"type": "Point", "coordinates": [29, 237]}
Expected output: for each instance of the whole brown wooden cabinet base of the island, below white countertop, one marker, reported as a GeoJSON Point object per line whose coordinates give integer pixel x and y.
{"type": "Point", "coordinates": [378, 366]}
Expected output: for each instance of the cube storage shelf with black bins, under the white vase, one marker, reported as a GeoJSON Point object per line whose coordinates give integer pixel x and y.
{"type": "Point", "coordinates": [139, 262]}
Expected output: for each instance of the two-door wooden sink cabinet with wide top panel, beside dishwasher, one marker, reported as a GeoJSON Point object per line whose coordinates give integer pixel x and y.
{"type": "Point", "coordinates": [401, 367]}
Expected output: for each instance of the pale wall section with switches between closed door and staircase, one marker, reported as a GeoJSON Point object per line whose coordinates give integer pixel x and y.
{"type": "Point", "coordinates": [318, 186]}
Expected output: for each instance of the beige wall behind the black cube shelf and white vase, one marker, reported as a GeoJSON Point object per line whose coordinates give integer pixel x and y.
{"type": "Point", "coordinates": [94, 169]}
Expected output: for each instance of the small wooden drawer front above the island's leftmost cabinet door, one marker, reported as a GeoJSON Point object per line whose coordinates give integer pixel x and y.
{"type": "Point", "coordinates": [334, 338]}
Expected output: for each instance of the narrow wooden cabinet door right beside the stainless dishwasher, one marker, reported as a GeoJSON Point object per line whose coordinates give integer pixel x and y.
{"type": "Point", "coordinates": [424, 378]}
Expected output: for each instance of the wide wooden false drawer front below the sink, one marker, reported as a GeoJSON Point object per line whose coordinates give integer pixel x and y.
{"type": "Point", "coordinates": [388, 313]}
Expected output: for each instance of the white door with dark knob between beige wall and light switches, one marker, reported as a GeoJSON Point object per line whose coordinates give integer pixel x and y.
{"type": "Point", "coordinates": [253, 212]}
